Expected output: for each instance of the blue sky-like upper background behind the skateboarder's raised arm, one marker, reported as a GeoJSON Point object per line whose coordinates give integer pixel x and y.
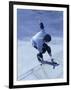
{"type": "Point", "coordinates": [28, 23]}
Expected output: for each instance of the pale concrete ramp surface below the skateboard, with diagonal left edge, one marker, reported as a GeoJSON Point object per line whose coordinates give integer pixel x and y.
{"type": "Point", "coordinates": [44, 71]}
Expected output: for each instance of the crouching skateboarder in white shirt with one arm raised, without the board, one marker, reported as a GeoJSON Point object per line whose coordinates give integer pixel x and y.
{"type": "Point", "coordinates": [40, 42]}
